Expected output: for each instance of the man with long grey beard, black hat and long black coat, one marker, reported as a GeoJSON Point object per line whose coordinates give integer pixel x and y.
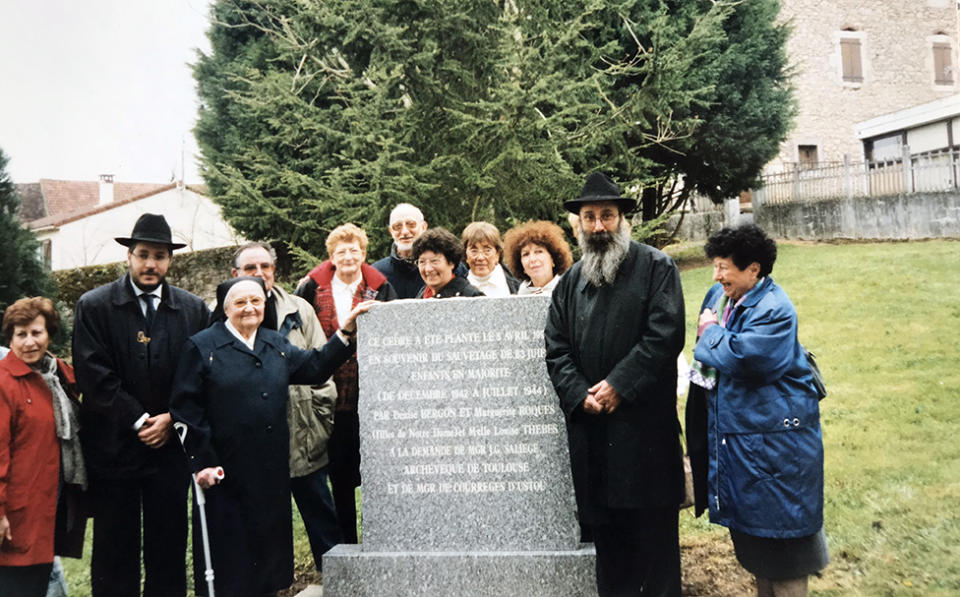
{"type": "Point", "coordinates": [613, 334]}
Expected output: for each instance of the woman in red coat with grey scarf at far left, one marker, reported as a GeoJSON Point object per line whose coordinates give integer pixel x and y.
{"type": "Point", "coordinates": [41, 466]}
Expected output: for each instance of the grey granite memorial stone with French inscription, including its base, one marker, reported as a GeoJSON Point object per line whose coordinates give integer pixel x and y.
{"type": "Point", "coordinates": [465, 465]}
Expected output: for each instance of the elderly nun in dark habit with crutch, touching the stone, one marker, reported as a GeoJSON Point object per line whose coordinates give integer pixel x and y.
{"type": "Point", "coordinates": [230, 399]}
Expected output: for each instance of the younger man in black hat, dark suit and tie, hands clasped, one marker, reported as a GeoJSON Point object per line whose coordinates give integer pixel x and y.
{"type": "Point", "coordinates": [127, 339]}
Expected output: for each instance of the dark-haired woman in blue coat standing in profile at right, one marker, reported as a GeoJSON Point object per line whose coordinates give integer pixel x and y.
{"type": "Point", "coordinates": [765, 450]}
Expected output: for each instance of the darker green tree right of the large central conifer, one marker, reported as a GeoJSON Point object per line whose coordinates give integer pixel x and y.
{"type": "Point", "coordinates": [746, 113]}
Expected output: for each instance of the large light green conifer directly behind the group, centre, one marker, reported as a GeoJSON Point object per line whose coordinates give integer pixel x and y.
{"type": "Point", "coordinates": [314, 114]}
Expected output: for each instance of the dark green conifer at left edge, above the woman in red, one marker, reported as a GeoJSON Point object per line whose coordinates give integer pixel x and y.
{"type": "Point", "coordinates": [23, 273]}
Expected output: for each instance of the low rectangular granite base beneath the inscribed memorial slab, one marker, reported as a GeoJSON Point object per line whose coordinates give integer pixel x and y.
{"type": "Point", "coordinates": [348, 571]}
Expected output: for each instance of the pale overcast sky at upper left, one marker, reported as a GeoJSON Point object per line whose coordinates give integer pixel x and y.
{"type": "Point", "coordinates": [90, 87]}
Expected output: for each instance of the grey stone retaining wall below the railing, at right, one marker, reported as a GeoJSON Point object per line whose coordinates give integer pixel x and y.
{"type": "Point", "coordinates": [895, 217]}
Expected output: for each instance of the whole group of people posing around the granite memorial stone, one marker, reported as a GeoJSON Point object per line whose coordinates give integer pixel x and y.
{"type": "Point", "coordinates": [258, 401]}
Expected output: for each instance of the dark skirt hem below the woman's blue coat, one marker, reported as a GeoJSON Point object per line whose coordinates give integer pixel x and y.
{"type": "Point", "coordinates": [781, 559]}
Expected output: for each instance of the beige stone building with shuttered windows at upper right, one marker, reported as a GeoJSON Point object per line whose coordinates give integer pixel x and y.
{"type": "Point", "coordinates": [855, 60]}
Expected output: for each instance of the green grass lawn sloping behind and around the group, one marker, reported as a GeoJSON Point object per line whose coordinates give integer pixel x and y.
{"type": "Point", "coordinates": [884, 322]}
